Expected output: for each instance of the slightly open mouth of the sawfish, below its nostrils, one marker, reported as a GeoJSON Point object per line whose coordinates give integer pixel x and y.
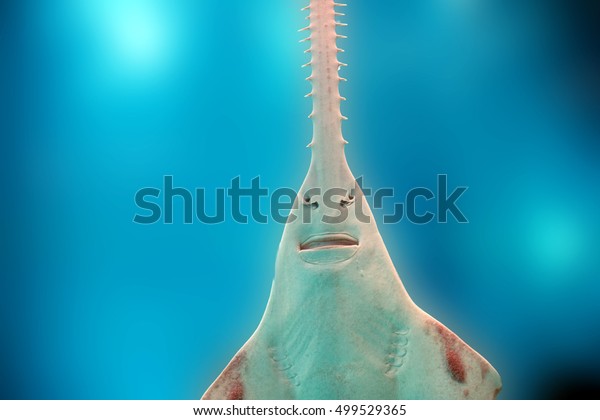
{"type": "Point", "coordinates": [328, 248]}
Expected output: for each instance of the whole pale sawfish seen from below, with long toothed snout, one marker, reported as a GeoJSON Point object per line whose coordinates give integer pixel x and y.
{"type": "Point", "coordinates": [339, 323]}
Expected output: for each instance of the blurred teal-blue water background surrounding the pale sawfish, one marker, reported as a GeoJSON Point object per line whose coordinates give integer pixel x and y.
{"type": "Point", "coordinates": [102, 98]}
